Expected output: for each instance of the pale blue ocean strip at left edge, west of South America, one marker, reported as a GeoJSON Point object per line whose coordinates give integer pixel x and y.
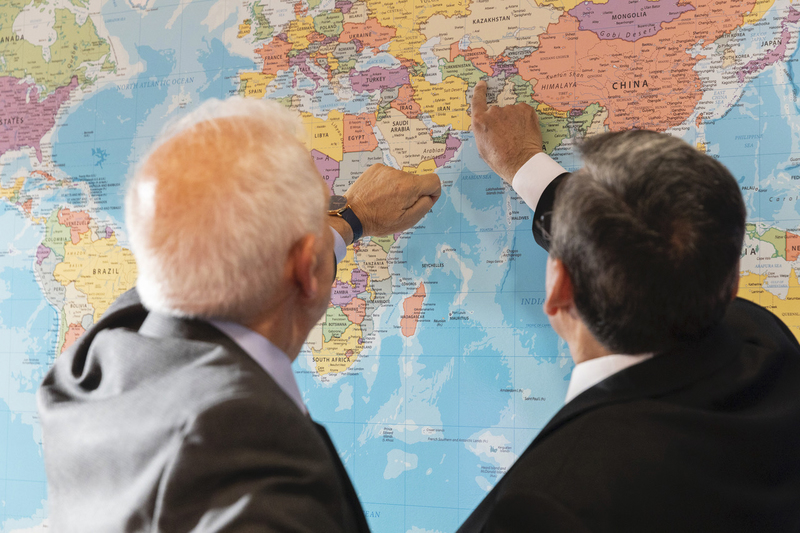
{"type": "Point", "coordinates": [28, 331]}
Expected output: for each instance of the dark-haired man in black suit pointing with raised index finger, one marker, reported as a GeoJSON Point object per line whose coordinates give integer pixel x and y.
{"type": "Point", "coordinates": [683, 411]}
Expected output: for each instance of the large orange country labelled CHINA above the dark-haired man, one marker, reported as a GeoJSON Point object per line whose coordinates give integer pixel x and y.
{"type": "Point", "coordinates": [649, 83]}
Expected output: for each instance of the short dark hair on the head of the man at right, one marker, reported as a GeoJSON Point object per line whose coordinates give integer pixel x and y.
{"type": "Point", "coordinates": [650, 231]}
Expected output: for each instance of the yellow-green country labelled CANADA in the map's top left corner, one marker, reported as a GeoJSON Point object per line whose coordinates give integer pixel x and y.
{"type": "Point", "coordinates": [75, 45]}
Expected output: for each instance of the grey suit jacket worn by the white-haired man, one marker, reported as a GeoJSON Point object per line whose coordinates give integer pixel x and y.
{"type": "Point", "coordinates": [154, 423]}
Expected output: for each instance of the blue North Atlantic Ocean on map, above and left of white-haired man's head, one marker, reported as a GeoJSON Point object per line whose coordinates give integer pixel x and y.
{"type": "Point", "coordinates": [101, 140]}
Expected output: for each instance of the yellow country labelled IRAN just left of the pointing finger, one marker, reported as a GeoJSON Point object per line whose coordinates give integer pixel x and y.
{"type": "Point", "coordinates": [445, 102]}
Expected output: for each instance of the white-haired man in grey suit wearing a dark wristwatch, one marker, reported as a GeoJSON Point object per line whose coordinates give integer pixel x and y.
{"type": "Point", "coordinates": [178, 410]}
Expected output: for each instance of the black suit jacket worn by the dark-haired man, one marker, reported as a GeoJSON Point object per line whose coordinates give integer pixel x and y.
{"type": "Point", "coordinates": [704, 438]}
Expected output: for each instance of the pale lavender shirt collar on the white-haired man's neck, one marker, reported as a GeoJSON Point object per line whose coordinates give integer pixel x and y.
{"type": "Point", "coordinates": [274, 362]}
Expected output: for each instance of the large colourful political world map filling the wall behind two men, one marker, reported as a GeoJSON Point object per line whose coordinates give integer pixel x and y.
{"type": "Point", "coordinates": [434, 366]}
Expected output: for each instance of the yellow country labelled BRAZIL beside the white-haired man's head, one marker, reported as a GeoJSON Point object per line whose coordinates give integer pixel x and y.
{"type": "Point", "coordinates": [101, 269]}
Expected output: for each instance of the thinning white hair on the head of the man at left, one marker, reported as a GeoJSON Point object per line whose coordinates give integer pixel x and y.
{"type": "Point", "coordinates": [215, 206]}
